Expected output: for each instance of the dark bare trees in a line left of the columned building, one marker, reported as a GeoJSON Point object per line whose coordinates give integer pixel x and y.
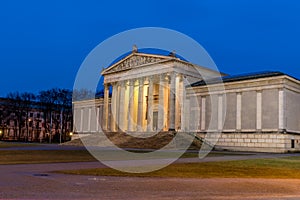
{"type": "Point", "coordinates": [52, 108]}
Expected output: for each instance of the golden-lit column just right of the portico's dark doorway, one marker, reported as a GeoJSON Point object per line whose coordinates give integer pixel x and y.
{"type": "Point", "coordinates": [162, 103]}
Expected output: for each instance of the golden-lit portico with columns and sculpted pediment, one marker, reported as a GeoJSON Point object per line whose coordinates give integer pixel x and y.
{"type": "Point", "coordinates": [146, 103]}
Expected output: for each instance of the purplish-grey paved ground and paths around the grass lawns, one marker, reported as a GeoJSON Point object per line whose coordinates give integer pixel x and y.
{"type": "Point", "coordinates": [37, 181]}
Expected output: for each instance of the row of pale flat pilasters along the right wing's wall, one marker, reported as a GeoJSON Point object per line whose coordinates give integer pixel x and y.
{"type": "Point", "coordinates": [195, 115]}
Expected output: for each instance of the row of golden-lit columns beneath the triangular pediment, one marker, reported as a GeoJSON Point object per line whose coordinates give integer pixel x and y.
{"type": "Point", "coordinates": [128, 109]}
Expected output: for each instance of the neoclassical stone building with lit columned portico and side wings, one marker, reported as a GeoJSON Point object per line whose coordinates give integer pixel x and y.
{"type": "Point", "coordinates": [149, 93]}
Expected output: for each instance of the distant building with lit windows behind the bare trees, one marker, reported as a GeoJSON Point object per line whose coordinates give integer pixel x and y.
{"type": "Point", "coordinates": [30, 124]}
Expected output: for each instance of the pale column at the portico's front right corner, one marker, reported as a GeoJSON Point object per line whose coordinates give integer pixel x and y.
{"type": "Point", "coordinates": [172, 102]}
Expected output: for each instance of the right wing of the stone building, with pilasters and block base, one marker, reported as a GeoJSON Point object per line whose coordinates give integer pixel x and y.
{"type": "Point", "coordinates": [261, 114]}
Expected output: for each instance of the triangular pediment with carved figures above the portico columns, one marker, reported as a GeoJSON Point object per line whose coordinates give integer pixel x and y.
{"type": "Point", "coordinates": [134, 60]}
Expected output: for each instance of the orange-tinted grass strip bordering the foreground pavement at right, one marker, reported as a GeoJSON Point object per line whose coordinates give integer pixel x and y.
{"type": "Point", "coordinates": [288, 167]}
